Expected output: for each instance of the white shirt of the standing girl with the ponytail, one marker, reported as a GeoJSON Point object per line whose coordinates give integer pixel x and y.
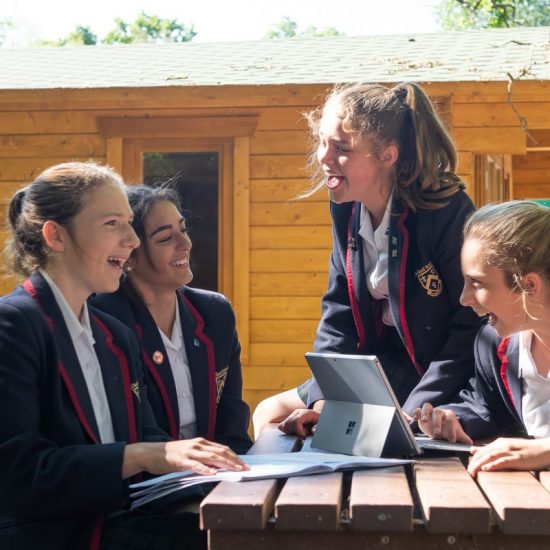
{"type": "Point", "coordinates": [375, 258]}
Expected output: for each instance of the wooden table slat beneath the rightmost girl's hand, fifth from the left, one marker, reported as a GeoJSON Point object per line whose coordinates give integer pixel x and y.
{"type": "Point", "coordinates": [521, 503]}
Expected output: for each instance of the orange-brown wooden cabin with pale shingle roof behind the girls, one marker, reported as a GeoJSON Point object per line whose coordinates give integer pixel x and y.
{"type": "Point", "coordinates": [225, 119]}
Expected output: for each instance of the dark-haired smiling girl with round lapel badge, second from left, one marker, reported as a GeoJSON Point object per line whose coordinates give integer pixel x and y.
{"type": "Point", "coordinates": [188, 338]}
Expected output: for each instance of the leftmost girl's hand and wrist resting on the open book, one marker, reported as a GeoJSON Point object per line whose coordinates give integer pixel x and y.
{"type": "Point", "coordinates": [202, 456]}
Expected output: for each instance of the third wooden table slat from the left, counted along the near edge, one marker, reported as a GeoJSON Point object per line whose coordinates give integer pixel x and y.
{"type": "Point", "coordinates": [380, 500]}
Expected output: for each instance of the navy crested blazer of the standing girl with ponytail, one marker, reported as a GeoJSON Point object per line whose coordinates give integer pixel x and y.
{"type": "Point", "coordinates": [430, 346]}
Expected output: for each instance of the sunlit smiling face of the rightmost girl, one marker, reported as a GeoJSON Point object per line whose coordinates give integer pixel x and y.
{"type": "Point", "coordinates": [487, 293]}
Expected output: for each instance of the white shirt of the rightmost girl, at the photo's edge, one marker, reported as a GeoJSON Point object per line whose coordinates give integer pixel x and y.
{"type": "Point", "coordinates": [535, 403]}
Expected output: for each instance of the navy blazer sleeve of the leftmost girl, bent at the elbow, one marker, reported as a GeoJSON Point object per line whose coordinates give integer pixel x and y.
{"type": "Point", "coordinates": [39, 478]}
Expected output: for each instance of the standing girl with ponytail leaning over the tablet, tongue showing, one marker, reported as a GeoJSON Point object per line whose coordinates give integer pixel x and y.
{"type": "Point", "coordinates": [394, 277]}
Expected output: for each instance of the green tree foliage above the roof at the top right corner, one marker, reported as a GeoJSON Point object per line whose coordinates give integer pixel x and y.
{"type": "Point", "coordinates": [484, 14]}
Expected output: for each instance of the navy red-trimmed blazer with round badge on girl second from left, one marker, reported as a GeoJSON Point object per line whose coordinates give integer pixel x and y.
{"type": "Point", "coordinates": [213, 352]}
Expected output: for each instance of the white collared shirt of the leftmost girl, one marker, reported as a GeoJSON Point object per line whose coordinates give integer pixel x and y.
{"type": "Point", "coordinates": [83, 342]}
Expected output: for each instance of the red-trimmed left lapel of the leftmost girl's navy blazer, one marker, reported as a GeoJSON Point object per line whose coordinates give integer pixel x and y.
{"type": "Point", "coordinates": [68, 363]}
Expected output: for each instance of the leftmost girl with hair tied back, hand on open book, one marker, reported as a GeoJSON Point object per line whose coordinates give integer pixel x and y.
{"type": "Point", "coordinates": [76, 423]}
